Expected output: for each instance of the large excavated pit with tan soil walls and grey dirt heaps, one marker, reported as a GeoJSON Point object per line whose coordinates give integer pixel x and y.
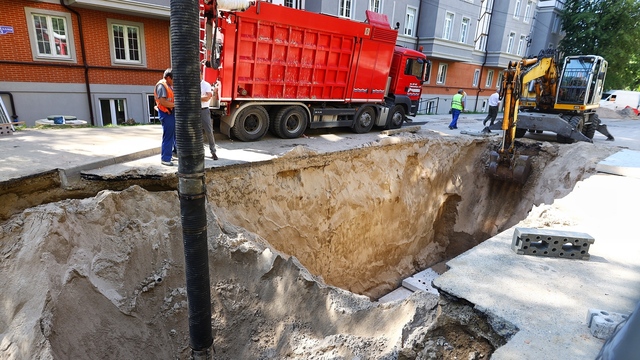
{"type": "Point", "coordinates": [299, 249]}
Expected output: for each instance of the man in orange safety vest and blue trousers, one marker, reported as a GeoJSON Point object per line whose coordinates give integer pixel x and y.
{"type": "Point", "coordinates": [164, 102]}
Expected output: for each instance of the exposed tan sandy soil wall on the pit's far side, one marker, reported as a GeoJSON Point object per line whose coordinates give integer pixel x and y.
{"type": "Point", "coordinates": [366, 218]}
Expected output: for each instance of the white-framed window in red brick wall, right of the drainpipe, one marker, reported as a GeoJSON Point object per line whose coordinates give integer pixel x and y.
{"type": "Point", "coordinates": [126, 40]}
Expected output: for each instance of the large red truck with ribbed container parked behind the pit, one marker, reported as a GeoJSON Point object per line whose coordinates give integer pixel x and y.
{"type": "Point", "coordinates": [286, 70]}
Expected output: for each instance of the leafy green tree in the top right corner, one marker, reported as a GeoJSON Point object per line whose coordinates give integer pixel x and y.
{"type": "Point", "coordinates": [609, 28]}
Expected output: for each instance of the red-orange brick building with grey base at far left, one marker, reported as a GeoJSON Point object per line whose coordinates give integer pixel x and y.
{"type": "Point", "coordinates": [96, 60]}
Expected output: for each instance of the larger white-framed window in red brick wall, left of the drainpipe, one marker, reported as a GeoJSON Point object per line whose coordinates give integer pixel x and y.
{"type": "Point", "coordinates": [50, 35]}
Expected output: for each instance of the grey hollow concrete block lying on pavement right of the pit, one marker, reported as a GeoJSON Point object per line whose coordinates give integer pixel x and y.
{"type": "Point", "coordinates": [551, 243]}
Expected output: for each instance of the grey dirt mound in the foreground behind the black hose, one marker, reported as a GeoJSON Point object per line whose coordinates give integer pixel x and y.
{"type": "Point", "coordinates": [104, 276]}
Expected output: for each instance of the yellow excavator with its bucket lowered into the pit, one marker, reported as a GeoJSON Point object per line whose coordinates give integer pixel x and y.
{"type": "Point", "coordinates": [539, 96]}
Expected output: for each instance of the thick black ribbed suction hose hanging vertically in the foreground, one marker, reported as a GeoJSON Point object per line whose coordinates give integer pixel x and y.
{"type": "Point", "coordinates": [191, 186]}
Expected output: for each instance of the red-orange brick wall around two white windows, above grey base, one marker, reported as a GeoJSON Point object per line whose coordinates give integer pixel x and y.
{"type": "Point", "coordinates": [17, 60]}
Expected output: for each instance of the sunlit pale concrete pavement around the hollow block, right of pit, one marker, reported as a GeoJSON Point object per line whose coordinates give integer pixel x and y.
{"type": "Point", "coordinates": [547, 298]}
